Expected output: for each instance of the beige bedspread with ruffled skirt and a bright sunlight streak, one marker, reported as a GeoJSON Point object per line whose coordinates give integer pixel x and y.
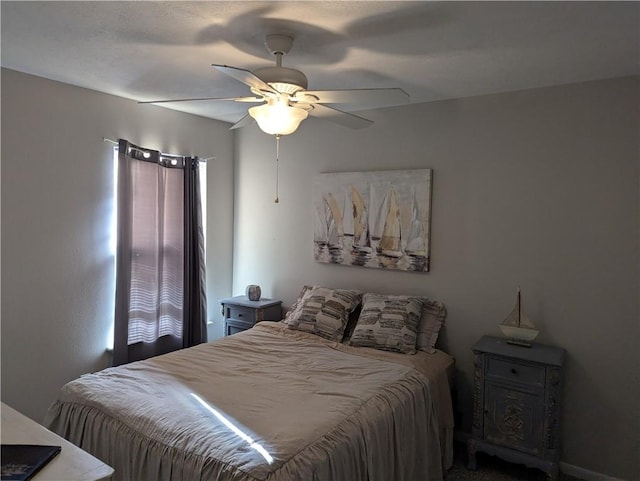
{"type": "Point", "coordinates": [265, 404]}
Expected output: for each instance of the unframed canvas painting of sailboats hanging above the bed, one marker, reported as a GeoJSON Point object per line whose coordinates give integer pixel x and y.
{"type": "Point", "coordinates": [378, 219]}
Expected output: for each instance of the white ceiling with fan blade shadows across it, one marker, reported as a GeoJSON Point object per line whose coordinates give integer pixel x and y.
{"type": "Point", "coordinates": [433, 50]}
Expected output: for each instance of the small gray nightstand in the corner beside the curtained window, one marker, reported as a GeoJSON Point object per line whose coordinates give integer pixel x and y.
{"type": "Point", "coordinates": [241, 314]}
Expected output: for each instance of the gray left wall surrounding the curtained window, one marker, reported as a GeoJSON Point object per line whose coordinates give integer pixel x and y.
{"type": "Point", "coordinates": [57, 194]}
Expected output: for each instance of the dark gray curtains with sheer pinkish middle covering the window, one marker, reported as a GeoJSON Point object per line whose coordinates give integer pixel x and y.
{"type": "Point", "coordinates": [160, 296]}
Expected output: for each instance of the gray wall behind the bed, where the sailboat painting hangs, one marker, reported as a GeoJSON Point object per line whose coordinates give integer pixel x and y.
{"type": "Point", "coordinates": [536, 188]}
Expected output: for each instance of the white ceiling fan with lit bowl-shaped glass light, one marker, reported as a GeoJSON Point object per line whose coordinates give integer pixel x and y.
{"type": "Point", "coordinates": [285, 100]}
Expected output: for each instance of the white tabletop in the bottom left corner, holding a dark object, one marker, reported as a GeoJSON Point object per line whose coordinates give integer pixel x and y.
{"type": "Point", "coordinates": [72, 464]}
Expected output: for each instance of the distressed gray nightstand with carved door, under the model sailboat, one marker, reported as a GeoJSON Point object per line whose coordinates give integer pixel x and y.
{"type": "Point", "coordinates": [517, 403]}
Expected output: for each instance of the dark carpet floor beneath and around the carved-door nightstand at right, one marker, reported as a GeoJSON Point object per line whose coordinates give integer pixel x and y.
{"type": "Point", "coordinates": [491, 468]}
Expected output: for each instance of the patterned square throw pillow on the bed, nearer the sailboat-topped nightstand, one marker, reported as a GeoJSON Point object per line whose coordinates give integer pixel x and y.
{"type": "Point", "coordinates": [388, 323]}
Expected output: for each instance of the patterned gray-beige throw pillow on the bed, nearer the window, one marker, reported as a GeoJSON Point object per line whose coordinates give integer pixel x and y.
{"type": "Point", "coordinates": [323, 311]}
